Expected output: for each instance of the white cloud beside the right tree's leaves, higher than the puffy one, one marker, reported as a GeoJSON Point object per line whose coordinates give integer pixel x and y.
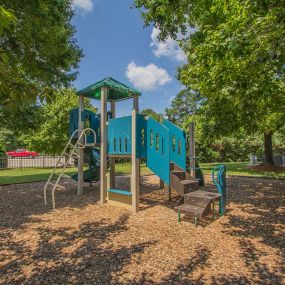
{"type": "Point", "coordinates": [168, 48]}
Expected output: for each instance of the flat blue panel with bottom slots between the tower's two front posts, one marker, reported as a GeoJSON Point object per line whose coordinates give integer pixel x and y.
{"type": "Point", "coordinates": [120, 135]}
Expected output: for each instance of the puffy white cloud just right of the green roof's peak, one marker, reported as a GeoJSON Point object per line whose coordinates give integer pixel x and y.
{"type": "Point", "coordinates": [147, 77]}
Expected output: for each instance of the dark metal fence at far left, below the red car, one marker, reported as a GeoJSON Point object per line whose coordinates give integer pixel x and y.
{"type": "Point", "coordinates": [42, 161]}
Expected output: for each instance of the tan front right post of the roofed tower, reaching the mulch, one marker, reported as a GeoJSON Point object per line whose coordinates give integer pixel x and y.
{"type": "Point", "coordinates": [135, 178]}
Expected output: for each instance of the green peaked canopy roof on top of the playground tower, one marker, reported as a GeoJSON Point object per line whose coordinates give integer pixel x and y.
{"type": "Point", "coordinates": [116, 90]}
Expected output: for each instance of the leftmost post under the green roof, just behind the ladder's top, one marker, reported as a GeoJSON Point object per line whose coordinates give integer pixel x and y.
{"type": "Point", "coordinates": [80, 150]}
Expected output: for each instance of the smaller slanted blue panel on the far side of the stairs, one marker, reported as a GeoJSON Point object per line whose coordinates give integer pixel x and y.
{"type": "Point", "coordinates": [177, 144]}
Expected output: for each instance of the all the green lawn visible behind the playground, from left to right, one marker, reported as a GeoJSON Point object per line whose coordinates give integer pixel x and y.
{"type": "Point", "coordinates": [35, 174]}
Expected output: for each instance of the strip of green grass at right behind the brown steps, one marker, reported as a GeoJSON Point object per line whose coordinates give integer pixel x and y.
{"type": "Point", "coordinates": [241, 169]}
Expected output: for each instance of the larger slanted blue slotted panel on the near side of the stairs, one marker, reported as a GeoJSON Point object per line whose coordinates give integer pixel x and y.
{"type": "Point", "coordinates": [158, 149]}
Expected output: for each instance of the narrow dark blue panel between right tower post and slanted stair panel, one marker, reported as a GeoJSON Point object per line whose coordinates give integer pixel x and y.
{"type": "Point", "coordinates": [141, 136]}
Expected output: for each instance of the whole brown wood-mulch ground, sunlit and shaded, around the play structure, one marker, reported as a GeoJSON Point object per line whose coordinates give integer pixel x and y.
{"type": "Point", "coordinates": [83, 242]}
